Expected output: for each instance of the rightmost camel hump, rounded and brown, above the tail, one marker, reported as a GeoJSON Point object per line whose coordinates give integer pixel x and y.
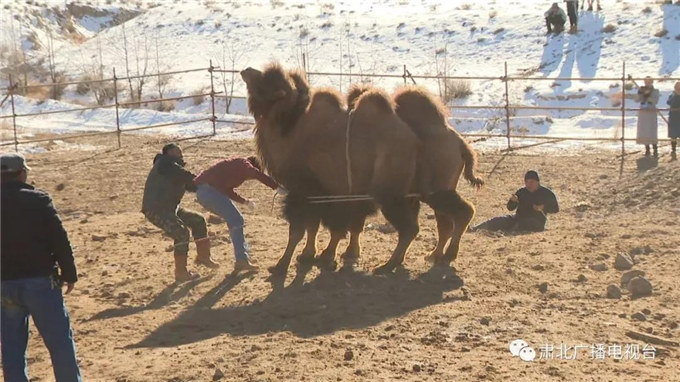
{"type": "Point", "coordinates": [421, 110]}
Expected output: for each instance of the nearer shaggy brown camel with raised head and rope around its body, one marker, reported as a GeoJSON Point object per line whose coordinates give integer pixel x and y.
{"type": "Point", "coordinates": [301, 141]}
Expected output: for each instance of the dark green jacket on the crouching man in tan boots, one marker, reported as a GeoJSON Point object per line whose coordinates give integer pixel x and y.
{"type": "Point", "coordinates": [166, 184]}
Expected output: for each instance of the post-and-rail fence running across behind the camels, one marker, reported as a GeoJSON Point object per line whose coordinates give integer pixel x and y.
{"type": "Point", "coordinates": [507, 107]}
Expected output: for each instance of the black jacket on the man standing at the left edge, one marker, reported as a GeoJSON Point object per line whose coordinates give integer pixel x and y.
{"type": "Point", "coordinates": [33, 239]}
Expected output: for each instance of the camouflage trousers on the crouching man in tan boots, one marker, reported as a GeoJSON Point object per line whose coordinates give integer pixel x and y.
{"type": "Point", "coordinates": [177, 225]}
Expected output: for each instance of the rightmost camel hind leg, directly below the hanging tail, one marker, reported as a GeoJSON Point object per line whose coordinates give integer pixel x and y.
{"type": "Point", "coordinates": [450, 202]}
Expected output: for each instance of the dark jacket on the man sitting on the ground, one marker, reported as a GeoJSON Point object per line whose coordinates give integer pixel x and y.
{"type": "Point", "coordinates": [525, 208]}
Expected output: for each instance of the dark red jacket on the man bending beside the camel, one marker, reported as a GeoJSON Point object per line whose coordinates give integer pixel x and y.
{"type": "Point", "coordinates": [228, 174]}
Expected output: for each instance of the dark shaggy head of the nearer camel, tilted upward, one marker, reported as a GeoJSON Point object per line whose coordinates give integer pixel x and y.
{"type": "Point", "coordinates": [281, 96]}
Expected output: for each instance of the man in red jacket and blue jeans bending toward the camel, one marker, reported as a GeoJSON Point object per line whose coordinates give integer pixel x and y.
{"type": "Point", "coordinates": [215, 191]}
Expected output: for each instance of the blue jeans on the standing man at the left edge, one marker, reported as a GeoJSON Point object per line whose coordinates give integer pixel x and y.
{"type": "Point", "coordinates": [38, 298]}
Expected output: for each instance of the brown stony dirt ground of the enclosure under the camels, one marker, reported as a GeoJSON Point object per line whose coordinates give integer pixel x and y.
{"type": "Point", "coordinates": [132, 323]}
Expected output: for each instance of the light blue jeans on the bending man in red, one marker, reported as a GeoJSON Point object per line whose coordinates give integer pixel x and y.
{"type": "Point", "coordinates": [218, 203]}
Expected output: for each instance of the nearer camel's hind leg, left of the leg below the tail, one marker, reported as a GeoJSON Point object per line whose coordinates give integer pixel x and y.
{"type": "Point", "coordinates": [402, 213]}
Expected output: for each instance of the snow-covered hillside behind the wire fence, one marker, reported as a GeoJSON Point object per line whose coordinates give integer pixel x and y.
{"type": "Point", "coordinates": [429, 37]}
